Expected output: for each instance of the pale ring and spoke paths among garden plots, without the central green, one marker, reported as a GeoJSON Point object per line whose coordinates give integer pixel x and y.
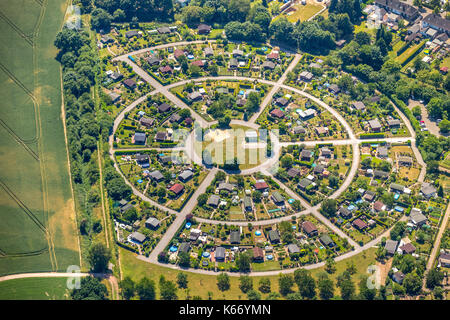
{"type": "Point", "coordinates": [353, 141]}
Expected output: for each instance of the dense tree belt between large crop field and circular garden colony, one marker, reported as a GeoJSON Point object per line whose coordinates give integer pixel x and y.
{"type": "Point", "coordinates": [85, 125]}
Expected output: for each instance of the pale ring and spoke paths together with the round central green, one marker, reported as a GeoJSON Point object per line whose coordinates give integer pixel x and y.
{"type": "Point", "coordinates": [239, 141]}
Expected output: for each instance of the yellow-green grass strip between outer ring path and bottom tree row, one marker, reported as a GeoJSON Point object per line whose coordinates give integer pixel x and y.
{"type": "Point", "coordinates": [200, 284]}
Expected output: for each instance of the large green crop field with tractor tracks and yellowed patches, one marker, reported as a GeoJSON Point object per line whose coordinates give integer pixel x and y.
{"type": "Point", "coordinates": [38, 230]}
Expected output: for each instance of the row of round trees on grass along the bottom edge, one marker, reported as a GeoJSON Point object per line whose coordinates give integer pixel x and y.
{"type": "Point", "coordinates": [300, 285]}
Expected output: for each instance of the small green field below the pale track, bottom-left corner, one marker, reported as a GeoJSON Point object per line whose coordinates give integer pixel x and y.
{"type": "Point", "coordinates": [34, 289]}
